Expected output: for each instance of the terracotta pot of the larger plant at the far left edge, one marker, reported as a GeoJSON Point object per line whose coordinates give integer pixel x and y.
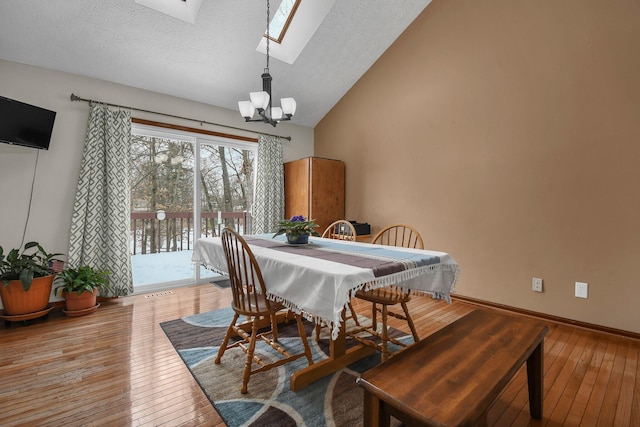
{"type": "Point", "coordinates": [17, 302]}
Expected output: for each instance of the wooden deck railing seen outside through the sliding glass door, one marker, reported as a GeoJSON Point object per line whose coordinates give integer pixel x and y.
{"type": "Point", "coordinates": [175, 232]}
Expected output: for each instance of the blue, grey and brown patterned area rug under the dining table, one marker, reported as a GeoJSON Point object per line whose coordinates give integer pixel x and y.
{"type": "Point", "coordinates": [335, 400]}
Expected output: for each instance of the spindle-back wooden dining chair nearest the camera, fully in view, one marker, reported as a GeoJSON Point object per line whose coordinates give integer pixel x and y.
{"type": "Point", "coordinates": [249, 299]}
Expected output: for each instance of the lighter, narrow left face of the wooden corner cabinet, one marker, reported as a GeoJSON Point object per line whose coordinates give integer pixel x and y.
{"type": "Point", "coordinates": [296, 188]}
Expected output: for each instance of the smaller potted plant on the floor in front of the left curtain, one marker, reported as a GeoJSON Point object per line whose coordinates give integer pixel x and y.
{"type": "Point", "coordinates": [80, 287]}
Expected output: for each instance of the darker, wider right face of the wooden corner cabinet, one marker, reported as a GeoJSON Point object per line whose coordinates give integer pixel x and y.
{"type": "Point", "coordinates": [326, 191]}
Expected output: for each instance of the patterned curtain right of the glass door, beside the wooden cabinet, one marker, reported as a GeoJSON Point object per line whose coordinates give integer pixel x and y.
{"type": "Point", "coordinates": [268, 203]}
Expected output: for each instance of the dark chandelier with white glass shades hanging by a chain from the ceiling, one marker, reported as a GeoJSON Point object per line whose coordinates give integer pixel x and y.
{"type": "Point", "coordinates": [261, 101]}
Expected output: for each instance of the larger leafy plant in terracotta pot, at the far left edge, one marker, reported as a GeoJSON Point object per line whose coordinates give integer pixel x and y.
{"type": "Point", "coordinates": [27, 277]}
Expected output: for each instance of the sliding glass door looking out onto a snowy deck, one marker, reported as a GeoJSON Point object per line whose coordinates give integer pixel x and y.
{"type": "Point", "coordinates": [170, 208]}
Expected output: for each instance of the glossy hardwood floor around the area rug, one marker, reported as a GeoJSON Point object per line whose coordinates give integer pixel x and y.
{"type": "Point", "coordinates": [116, 367]}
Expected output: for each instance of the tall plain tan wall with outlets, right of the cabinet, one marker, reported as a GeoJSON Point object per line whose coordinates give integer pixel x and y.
{"type": "Point", "coordinates": [508, 133]}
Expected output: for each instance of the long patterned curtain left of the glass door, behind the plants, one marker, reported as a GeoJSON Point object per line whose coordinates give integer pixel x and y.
{"type": "Point", "coordinates": [101, 211]}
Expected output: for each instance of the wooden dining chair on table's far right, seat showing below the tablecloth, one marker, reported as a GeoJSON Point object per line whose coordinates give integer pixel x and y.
{"type": "Point", "coordinates": [394, 235]}
